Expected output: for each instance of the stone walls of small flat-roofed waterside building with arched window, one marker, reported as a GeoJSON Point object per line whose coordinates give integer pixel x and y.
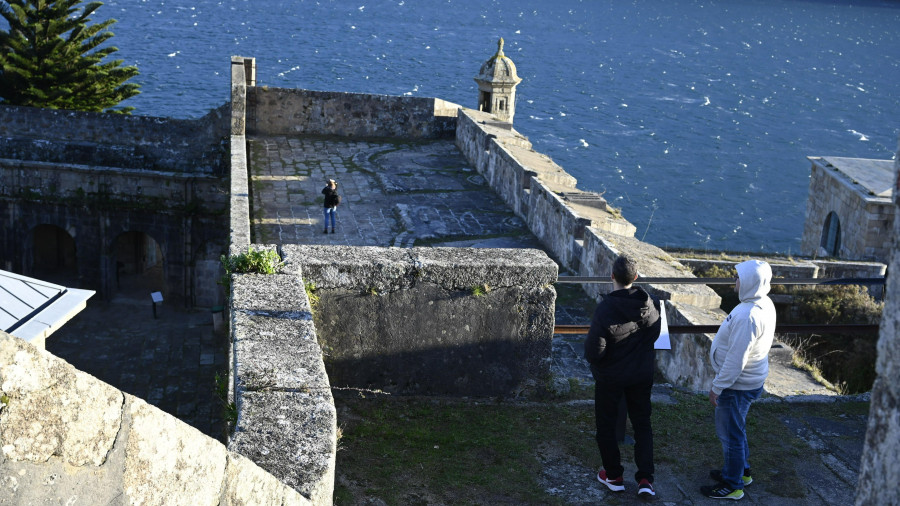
{"type": "Point", "coordinates": [865, 220]}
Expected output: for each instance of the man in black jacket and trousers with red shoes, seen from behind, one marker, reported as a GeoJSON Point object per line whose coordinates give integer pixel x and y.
{"type": "Point", "coordinates": [620, 349]}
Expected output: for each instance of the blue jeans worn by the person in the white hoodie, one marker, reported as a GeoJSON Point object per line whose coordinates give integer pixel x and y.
{"type": "Point", "coordinates": [731, 423]}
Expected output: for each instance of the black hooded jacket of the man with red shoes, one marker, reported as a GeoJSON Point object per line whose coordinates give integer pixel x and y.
{"type": "Point", "coordinates": [624, 329]}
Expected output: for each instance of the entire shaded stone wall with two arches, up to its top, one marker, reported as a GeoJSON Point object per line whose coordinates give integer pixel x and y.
{"type": "Point", "coordinates": [158, 176]}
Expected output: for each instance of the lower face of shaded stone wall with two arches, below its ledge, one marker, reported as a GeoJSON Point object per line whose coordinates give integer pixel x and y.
{"type": "Point", "coordinates": [183, 213]}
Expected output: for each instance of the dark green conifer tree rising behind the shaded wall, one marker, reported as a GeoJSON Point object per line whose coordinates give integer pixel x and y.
{"type": "Point", "coordinates": [51, 57]}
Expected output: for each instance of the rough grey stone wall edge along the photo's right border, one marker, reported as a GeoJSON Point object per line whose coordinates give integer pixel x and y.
{"type": "Point", "coordinates": [880, 464]}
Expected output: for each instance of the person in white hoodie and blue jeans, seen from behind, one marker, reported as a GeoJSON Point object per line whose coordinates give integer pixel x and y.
{"type": "Point", "coordinates": [740, 357]}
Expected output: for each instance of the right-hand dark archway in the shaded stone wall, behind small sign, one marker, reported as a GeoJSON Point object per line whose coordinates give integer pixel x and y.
{"type": "Point", "coordinates": [139, 265]}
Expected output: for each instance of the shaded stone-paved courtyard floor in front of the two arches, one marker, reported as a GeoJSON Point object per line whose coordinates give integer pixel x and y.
{"type": "Point", "coordinates": [170, 361]}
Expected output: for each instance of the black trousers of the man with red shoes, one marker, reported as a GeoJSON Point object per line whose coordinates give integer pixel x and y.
{"type": "Point", "coordinates": [607, 398]}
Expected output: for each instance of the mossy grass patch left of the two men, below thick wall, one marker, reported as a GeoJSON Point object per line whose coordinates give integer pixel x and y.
{"type": "Point", "coordinates": [448, 451]}
